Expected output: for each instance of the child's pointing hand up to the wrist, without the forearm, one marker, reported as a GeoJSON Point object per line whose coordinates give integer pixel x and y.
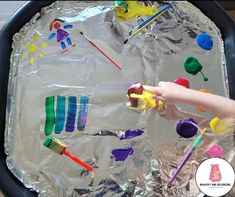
{"type": "Point", "coordinates": [169, 92]}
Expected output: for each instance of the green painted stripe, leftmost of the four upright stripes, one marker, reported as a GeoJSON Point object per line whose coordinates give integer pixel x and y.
{"type": "Point", "coordinates": [50, 115]}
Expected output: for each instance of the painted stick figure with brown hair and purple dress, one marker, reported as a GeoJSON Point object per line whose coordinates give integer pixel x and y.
{"type": "Point", "coordinates": [62, 36]}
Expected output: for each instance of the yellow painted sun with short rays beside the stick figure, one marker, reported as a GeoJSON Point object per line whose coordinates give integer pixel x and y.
{"type": "Point", "coordinates": [34, 49]}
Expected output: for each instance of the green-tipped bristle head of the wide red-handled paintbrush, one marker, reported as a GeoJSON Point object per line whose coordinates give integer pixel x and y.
{"type": "Point", "coordinates": [55, 145]}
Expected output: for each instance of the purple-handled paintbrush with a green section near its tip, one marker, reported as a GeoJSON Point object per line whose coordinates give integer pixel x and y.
{"type": "Point", "coordinates": [186, 157]}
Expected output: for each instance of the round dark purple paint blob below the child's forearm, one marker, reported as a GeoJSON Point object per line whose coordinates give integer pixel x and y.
{"type": "Point", "coordinates": [186, 128]}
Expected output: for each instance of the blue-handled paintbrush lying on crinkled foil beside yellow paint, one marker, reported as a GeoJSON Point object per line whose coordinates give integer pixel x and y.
{"type": "Point", "coordinates": [145, 23]}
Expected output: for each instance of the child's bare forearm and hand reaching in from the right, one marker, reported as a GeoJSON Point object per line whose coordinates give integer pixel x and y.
{"type": "Point", "coordinates": [172, 93]}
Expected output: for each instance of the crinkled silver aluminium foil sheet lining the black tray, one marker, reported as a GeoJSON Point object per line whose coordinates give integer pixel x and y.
{"type": "Point", "coordinates": [156, 54]}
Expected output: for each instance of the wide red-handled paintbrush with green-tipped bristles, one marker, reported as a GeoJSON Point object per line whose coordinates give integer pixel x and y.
{"type": "Point", "coordinates": [59, 147]}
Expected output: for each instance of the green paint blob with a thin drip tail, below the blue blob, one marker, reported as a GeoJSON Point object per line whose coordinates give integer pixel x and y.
{"type": "Point", "coordinates": [192, 66]}
